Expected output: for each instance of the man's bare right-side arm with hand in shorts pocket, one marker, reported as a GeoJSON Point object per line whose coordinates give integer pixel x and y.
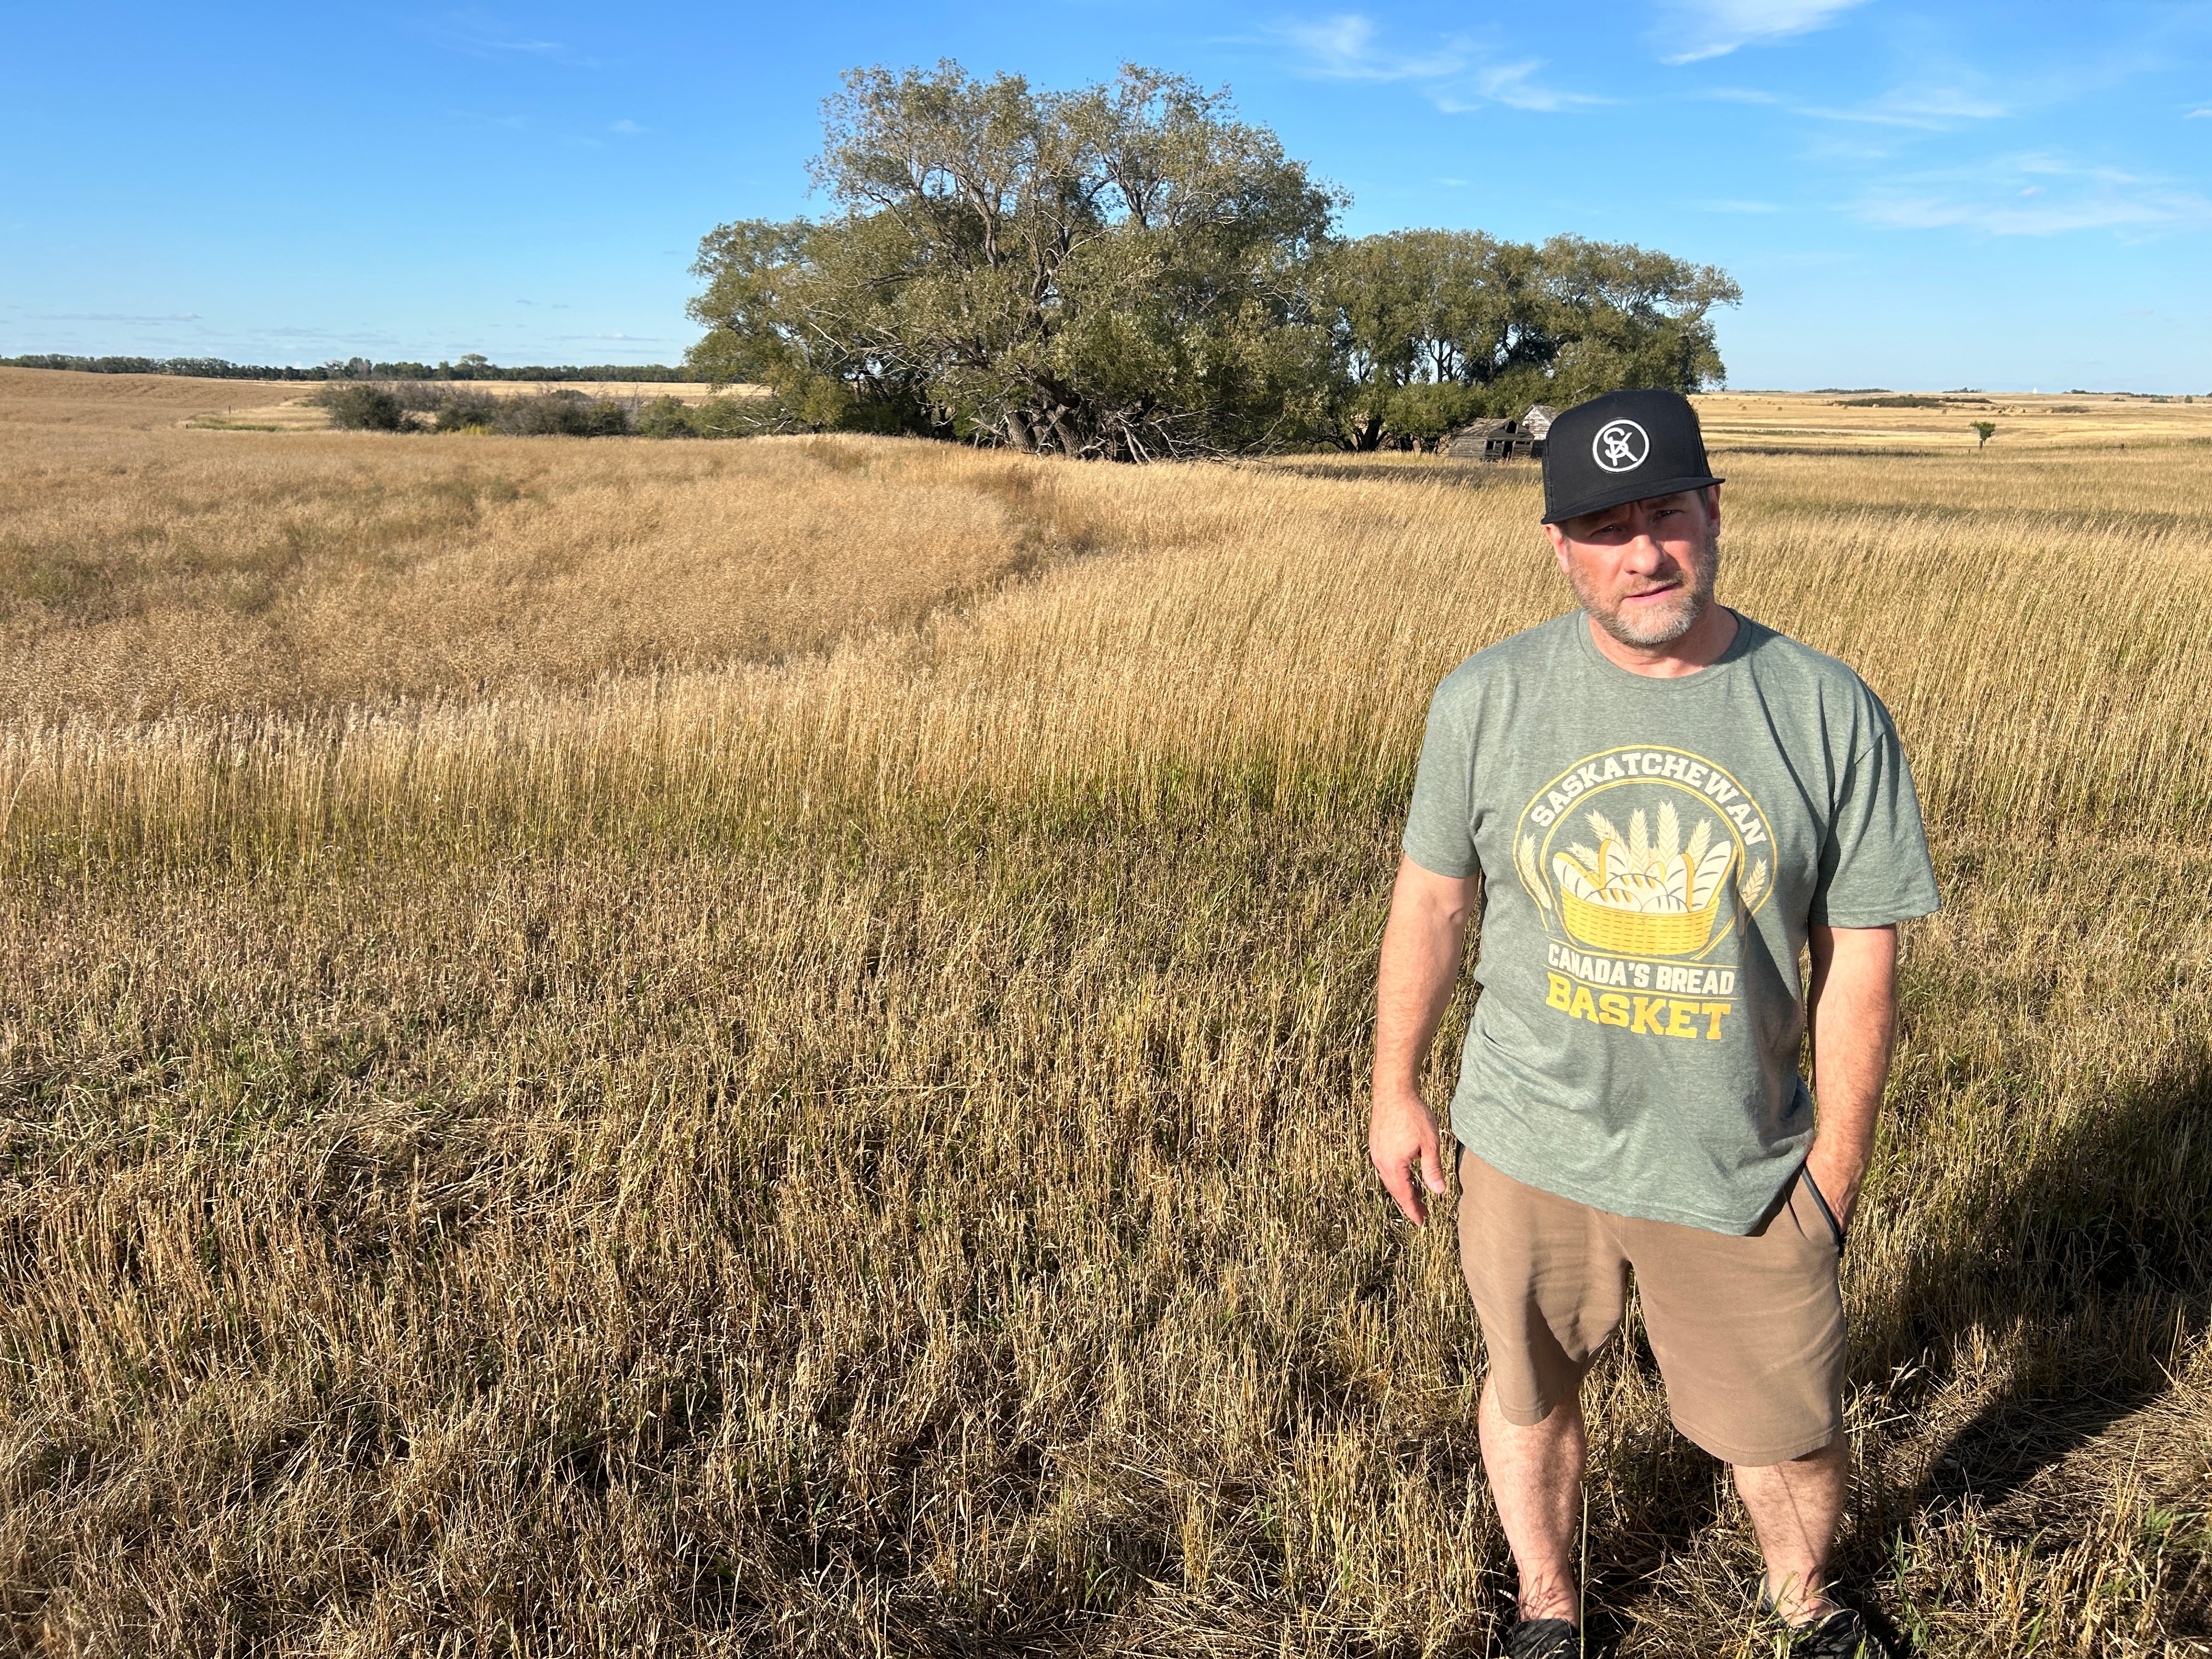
{"type": "Point", "coordinates": [1855, 1023]}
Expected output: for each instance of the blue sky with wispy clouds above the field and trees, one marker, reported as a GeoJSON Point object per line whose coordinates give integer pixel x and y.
{"type": "Point", "coordinates": [1912, 196]}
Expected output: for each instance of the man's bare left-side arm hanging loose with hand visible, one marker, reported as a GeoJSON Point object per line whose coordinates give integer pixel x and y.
{"type": "Point", "coordinates": [1421, 963]}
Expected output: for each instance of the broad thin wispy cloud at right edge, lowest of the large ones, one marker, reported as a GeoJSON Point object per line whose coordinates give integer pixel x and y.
{"type": "Point", "coordinates": [2036, 196]}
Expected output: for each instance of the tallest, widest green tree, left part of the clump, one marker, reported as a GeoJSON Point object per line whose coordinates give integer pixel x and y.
{"type": "Point", "coordinates": [1118, 271]}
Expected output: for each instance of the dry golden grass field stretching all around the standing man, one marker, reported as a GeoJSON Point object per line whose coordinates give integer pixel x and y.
{"type": "Point", "coordinates": [623, 1047]}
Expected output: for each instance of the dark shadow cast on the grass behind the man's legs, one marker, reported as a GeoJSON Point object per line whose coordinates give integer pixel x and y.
{"type": "Point", "coordinates": [2089, 1260]}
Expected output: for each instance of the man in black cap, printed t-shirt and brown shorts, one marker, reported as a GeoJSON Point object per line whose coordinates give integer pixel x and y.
{"type": "Point", "coordinates": [1656, 804]}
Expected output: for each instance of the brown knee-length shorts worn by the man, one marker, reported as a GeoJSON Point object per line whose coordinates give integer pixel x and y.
{"type": "Point", "coordinates": [1749, 1333]}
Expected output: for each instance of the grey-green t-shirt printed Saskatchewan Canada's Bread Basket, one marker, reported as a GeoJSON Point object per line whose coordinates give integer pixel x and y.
{"type": "Point", "coordinates": [1656, 853]}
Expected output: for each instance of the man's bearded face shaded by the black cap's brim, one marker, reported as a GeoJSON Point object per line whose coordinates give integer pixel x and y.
{"type": "Point", "coordinates": [1645, 572]}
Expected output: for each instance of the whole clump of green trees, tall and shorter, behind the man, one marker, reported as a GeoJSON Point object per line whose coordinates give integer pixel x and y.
{"type": "Point", "coordinates": [1129, 271]}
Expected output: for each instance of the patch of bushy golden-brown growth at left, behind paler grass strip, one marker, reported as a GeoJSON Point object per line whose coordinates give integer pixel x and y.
{"type": "Point", "coordinates": [216, 574]}
